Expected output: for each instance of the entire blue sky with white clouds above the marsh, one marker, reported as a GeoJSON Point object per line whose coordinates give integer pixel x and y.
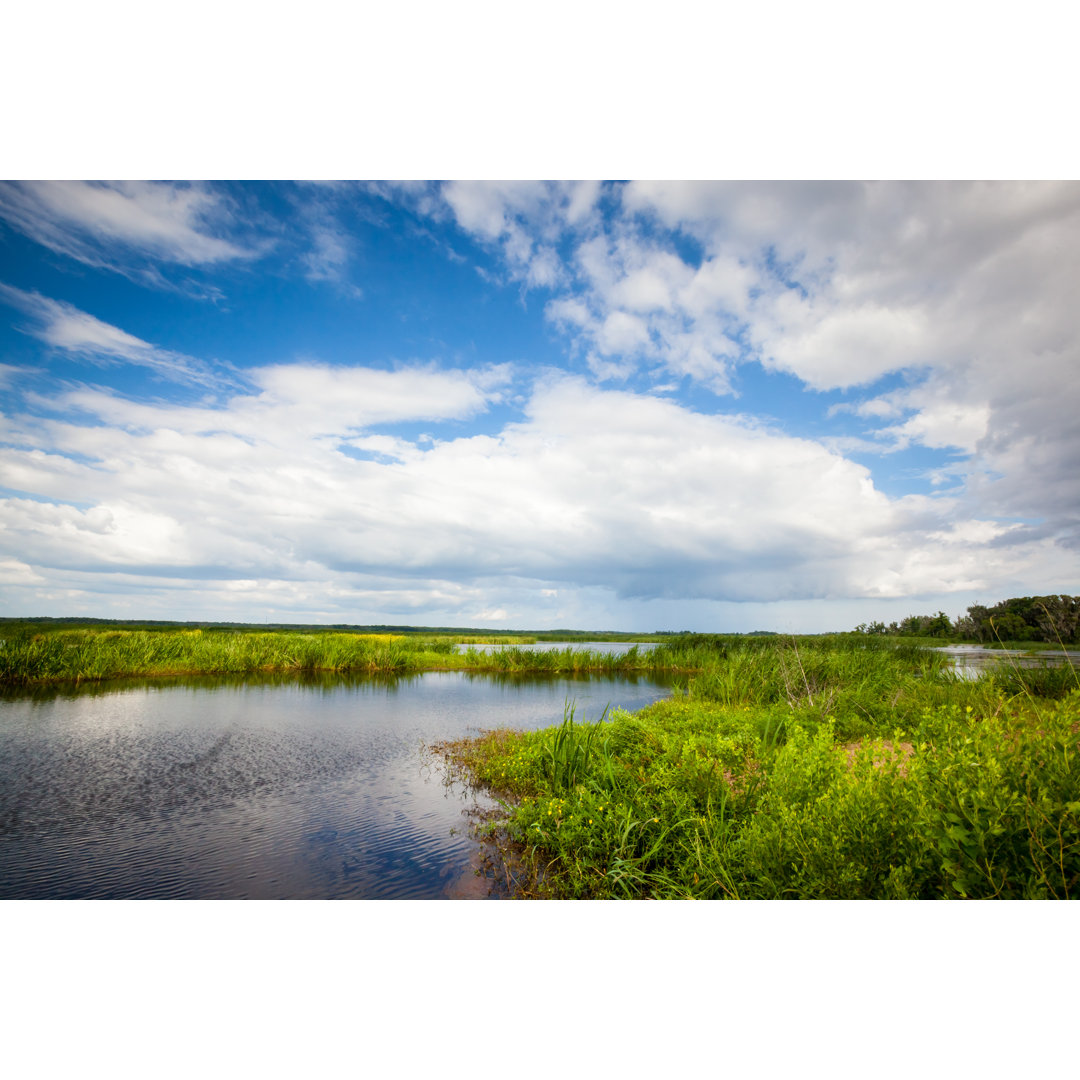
{"type": "Point", "coordinates": [642, 406]}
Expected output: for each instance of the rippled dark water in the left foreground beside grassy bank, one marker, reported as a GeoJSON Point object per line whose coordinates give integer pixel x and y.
{"type": "Point", "coordinates": [273, 789]}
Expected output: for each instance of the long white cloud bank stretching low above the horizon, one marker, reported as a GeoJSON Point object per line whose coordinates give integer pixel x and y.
{"type": "Point", "coordinates": [636, 495]}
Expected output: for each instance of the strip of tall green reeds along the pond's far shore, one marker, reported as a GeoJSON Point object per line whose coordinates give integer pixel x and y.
{"type": "Point", "coordinates": [47, 651]}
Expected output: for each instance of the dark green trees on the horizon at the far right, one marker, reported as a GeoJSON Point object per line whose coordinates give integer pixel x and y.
{"type": "Point", "coordinates": [1019, 619]}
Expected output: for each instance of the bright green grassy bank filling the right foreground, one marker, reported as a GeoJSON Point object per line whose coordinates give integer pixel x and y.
{"type": "Point", "coordinates": [813, 768]}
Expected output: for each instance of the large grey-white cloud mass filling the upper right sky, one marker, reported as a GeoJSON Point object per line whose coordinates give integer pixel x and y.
{"type": "Point", "coordinates": [963, 290]}
